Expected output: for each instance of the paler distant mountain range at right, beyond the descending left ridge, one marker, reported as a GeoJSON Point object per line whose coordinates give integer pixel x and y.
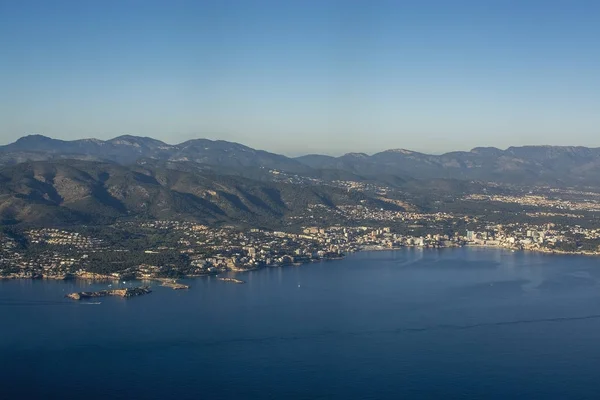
{"type": "Point", "coordinates": [554, 165]}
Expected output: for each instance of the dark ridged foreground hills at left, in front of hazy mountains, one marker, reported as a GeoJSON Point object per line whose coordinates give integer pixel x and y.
{"type": "Point", "coordinates": [89, 192]}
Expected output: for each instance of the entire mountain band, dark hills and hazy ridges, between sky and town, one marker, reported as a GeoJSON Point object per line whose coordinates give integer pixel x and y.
{"type": "Point", "coordinates": [49, 181]}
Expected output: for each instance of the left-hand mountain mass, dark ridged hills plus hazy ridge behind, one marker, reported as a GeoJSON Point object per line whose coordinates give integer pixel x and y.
{"type": "Point", "coordinates": [48, 182]}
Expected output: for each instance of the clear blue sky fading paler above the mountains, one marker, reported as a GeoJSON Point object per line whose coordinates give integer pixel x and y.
{"type": "Point", "coordinates": [310, 76]}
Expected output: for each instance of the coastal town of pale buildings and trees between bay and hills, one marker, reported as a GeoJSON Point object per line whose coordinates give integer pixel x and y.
{"type": "Point", "coordinates": [186, 249]}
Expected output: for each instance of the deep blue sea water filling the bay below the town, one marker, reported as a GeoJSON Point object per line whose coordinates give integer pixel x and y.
{"type": "Point", "coordinates": [450, 323]}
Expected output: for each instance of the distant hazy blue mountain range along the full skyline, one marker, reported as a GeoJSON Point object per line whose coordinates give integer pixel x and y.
{"type": "Point", "coordinates": [521, 165]}
